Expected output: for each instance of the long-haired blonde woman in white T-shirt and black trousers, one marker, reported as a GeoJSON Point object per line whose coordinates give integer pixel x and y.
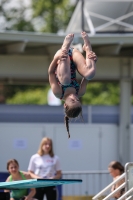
{"type": "Point", "coordinates": [44, 164]}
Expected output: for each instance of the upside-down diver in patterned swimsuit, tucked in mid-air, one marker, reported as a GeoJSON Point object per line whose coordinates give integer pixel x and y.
{"type": "Point", "coordinates": [62, 75]}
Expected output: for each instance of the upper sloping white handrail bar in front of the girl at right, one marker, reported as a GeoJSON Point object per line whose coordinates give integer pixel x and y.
{"type": "Point", "coordinates": [108, 187]}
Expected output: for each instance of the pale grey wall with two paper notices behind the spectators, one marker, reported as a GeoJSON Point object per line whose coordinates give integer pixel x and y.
{"type": "Point", "coordinates": [91, 147]}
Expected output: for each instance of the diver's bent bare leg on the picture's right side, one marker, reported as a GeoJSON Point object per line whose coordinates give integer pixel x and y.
{"type": "Point", "coordinates": [86, 67]}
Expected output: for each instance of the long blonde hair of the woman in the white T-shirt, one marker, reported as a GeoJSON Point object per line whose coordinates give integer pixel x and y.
{"type": "Point", "coordinates": [44, 141]}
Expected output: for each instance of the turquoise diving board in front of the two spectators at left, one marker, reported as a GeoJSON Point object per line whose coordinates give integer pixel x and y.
{"type": "Point", "coordinates": [36, 183]}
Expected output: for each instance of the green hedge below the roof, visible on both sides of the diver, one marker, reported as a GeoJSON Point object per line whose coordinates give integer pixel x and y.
{"type": "Point", "coordinates": [96, 94]}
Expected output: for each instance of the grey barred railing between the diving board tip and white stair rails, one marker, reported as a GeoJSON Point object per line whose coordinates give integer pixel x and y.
{"type": "Point", "coordinates": [92, 182]}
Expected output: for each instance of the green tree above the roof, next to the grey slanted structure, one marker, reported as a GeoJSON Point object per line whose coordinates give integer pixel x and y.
{"type": "Point", "coordinates": [55, 13]}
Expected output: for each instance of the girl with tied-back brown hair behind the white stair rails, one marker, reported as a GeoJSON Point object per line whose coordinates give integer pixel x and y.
{"type": "Point", "coordinates": [116, 169]}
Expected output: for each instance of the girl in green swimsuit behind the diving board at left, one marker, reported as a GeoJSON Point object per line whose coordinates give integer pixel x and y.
{"type": "Point", "coordinates": [16, 175]}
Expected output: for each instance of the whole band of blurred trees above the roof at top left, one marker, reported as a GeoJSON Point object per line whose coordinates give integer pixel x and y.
{"type": "Point", "coordinates": [55, 15]}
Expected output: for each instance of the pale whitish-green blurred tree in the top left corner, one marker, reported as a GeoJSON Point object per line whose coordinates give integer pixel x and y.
{"type": "Point", "coordinates": [13, 17]}
